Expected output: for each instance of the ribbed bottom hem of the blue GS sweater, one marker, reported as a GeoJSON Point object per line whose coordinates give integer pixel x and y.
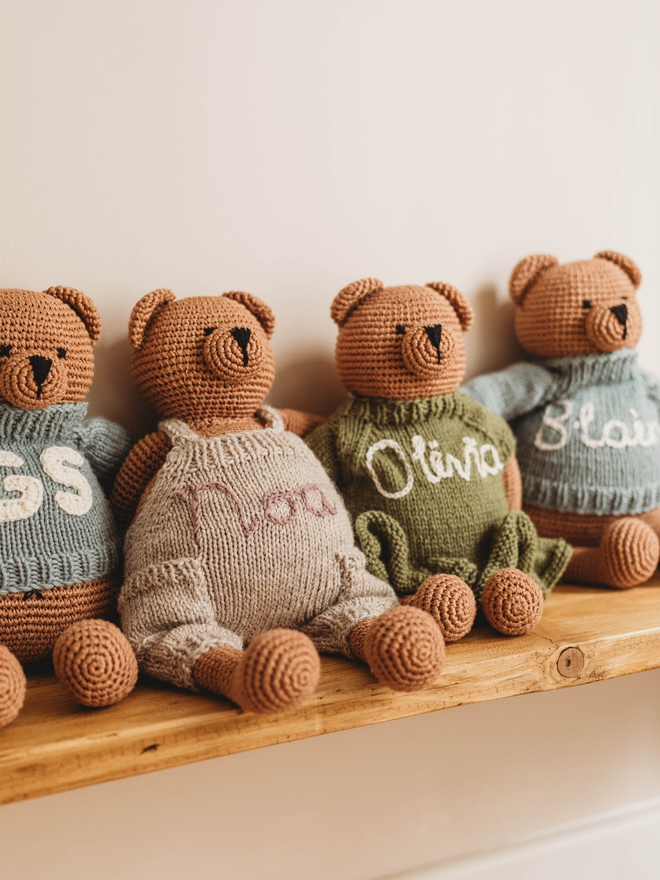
{"type": "Point", "coordinates": [38, 573]}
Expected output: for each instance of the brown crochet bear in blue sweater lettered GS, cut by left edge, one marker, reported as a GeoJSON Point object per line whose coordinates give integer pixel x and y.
{"type": "Point", "coordinates": [59, 547]}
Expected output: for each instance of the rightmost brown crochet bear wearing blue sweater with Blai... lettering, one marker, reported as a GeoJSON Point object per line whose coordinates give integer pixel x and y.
{"type": "Point", "coordinates": [585, 415]}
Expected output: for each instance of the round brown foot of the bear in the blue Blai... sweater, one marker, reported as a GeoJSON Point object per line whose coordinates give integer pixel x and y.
{"type": "Point", "coordinates": [630, 551]}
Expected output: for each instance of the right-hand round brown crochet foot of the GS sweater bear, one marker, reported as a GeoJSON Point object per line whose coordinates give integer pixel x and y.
{"type": "Point", "coordinates": [95, 663]}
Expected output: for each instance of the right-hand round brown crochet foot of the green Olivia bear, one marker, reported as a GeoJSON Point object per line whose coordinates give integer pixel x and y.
{"type": "Point", "coordinates": [512, 602]}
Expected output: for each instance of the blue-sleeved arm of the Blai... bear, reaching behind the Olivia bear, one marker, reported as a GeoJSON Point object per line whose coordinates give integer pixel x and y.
{"type": "Point", "coordinates": [514, 391]}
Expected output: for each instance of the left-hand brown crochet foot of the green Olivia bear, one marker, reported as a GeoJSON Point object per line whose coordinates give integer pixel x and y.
{"type": "Point", "coordinates": [449, 601]}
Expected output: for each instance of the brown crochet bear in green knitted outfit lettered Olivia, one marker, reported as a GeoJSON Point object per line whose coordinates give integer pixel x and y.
{"type": "Point", "coordinates": [429, 475]}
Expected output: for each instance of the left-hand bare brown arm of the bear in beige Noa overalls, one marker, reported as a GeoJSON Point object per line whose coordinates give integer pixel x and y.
{"type": "Point", "coordinates": [142, 464]}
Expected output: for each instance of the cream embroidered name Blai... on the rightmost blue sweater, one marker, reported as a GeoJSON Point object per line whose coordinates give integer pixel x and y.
{"type": "Point", "coordinates": [555, 429]}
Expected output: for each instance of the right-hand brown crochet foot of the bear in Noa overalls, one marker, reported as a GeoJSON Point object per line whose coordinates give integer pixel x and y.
{"type": "Point", "coordinates": [404, 648]}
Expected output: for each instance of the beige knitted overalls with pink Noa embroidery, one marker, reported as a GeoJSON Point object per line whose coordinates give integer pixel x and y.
{"type": "Point", "coordinates": [240, 534]}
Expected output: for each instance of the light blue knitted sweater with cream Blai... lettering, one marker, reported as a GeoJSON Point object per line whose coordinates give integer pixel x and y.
{"type": "Point", "coordinates": [587, 431]}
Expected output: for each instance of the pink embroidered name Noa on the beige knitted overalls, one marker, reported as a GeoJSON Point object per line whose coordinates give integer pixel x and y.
{"type": "Point", "coordinates": [280, 507]}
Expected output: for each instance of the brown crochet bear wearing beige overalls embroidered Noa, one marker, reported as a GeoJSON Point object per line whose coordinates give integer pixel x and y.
{"type": "Point", "coordinates": [240, 560]}
